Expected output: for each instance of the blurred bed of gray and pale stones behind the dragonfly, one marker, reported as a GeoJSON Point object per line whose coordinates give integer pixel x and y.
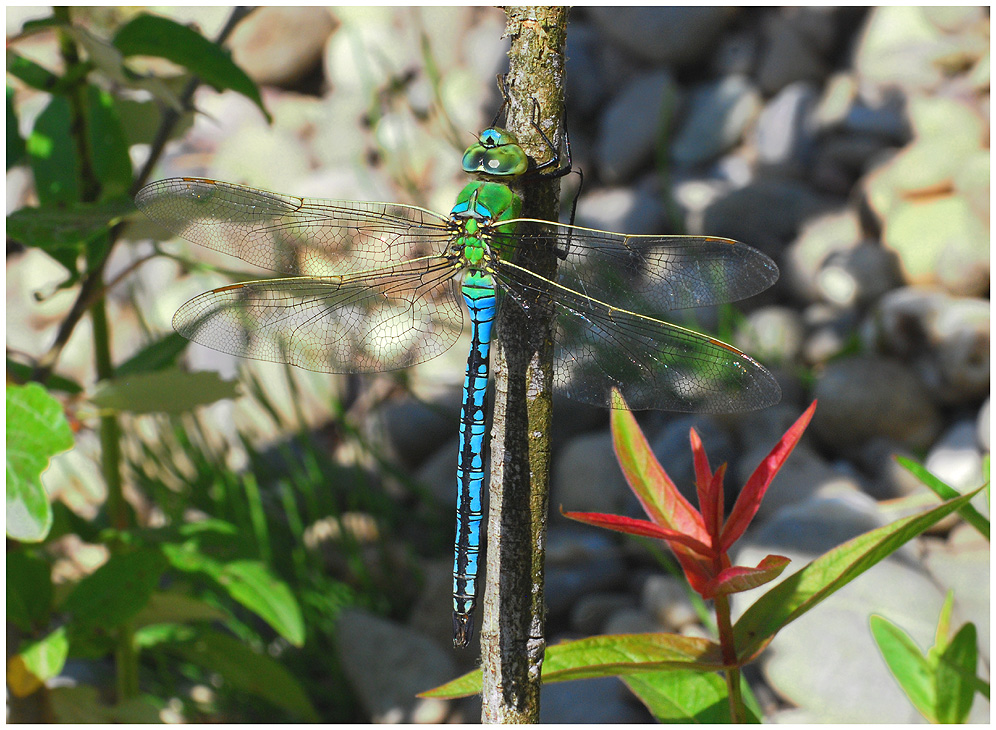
{"type": "Point", "coordinates": [851, 146]}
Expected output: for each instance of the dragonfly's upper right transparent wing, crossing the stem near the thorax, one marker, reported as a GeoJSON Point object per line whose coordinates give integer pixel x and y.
{"type": "Point", "coordinates": [652, 274]}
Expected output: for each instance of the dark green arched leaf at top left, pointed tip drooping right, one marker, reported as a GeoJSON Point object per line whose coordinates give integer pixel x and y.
{"type": "Point", "coordinates": [150, 35]}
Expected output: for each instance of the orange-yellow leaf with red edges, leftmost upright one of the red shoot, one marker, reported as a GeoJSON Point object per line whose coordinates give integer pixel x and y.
{"type": "Point", "coordinates": [660, 498]}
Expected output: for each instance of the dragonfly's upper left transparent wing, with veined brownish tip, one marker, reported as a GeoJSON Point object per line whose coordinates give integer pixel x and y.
{"type": "Point", "coordinates": [296, 236]}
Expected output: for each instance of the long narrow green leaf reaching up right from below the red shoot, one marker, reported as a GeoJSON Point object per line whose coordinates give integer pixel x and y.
{"type": "Point", "coordinates": [803, 590]}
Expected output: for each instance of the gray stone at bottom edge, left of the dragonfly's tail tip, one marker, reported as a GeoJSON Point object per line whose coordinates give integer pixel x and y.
{"type": "Point", "coordinates": [388, 665]}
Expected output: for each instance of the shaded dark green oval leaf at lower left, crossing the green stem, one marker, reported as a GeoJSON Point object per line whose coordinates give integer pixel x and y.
{"type": "Point", "coordinates": [117, 590]}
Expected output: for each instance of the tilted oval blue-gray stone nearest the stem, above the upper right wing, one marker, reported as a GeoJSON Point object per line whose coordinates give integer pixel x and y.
{"type": "Point", "coordinates": [631, 126]}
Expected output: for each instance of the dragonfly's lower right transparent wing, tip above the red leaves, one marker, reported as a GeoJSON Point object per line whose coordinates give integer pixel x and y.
{"type": "Point", "coordinates": [656, 365]}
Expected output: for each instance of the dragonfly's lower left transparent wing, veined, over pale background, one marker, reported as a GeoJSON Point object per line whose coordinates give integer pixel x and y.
{"type": "Point", "coordinates": [372, 321]}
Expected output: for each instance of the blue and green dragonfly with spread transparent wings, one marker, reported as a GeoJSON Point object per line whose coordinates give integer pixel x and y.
{"type": "Point", "coordinates": [367, 287]}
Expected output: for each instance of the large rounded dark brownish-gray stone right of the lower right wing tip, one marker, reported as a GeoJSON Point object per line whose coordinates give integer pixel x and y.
{"type": "Point", "coordinates": [863, 397]}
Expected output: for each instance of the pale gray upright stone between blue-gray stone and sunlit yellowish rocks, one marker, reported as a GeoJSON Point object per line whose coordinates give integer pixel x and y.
{"type": "Point", "coordinates": [785, 133]}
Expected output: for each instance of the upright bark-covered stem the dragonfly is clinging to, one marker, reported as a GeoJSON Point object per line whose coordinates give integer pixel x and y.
{"type": "Point", "coordinates": [513, 622]}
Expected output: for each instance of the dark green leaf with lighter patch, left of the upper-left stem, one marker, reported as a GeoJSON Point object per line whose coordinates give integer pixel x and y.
{"type": "Point", "coordinates": [52, 154]}
